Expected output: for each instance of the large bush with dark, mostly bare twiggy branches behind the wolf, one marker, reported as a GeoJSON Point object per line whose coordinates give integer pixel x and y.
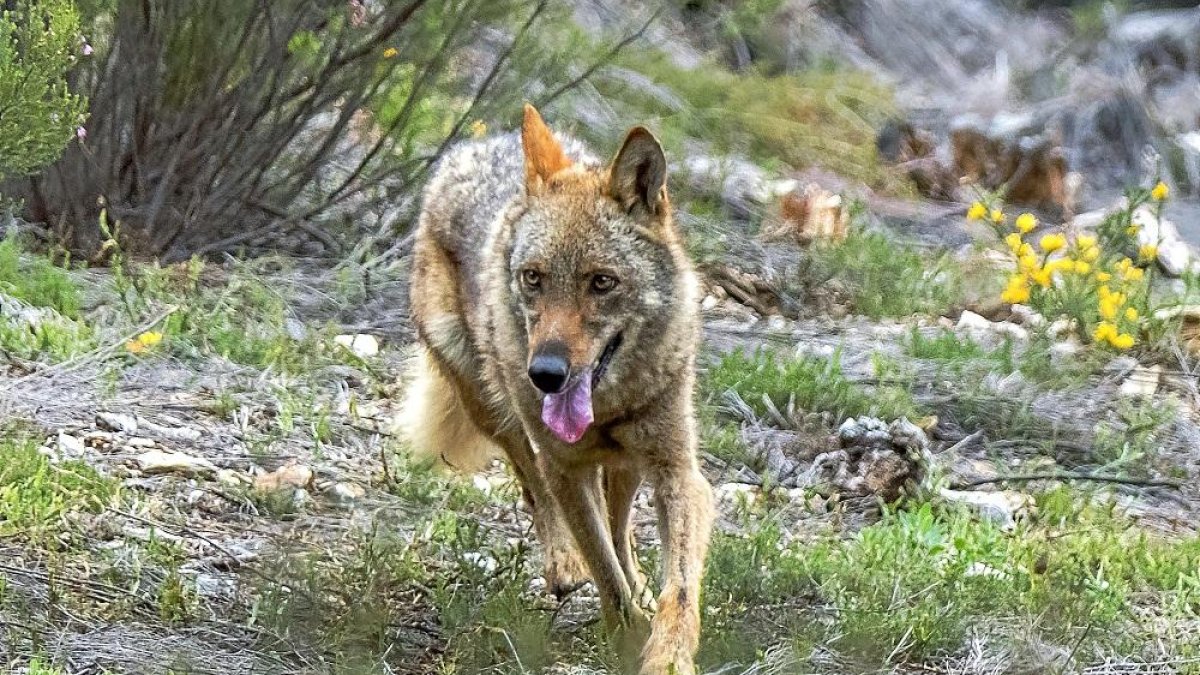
{"type": "Point", "coordinates": [219, 122]}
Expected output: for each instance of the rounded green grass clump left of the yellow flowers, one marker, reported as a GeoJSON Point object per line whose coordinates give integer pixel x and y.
{"type": "Point", "coordinates": [887, 278]}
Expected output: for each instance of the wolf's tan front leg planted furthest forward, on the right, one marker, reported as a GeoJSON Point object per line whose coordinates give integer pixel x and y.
{"type": "Point", "coordinates": [685, 504]}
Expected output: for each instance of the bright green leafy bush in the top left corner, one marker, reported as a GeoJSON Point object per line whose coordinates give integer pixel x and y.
{"type": "Point", "coordinates": [39, 115]}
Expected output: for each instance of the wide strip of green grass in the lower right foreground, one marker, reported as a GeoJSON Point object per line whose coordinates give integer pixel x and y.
{"type": "Point", "coordinates": [915, 584]}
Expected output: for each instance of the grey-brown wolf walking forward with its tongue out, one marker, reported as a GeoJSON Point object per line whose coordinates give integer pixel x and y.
{"type": "Point", "coordinates": [557, 320]}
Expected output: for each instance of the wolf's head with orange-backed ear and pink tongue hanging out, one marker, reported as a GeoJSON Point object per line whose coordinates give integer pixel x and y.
{"type": "Point", "coordinates": [591, 268]}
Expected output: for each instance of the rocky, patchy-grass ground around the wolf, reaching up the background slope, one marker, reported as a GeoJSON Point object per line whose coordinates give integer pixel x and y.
{"type": "Point", "coordinates": [200, 474]}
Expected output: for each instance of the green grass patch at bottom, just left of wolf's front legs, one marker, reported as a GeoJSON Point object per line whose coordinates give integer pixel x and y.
{"type": "Point", "coordinates": [349, 600]}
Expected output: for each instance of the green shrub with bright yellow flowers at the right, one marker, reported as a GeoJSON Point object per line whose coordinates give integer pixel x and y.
{"type": "Point", "coordinates": [1100, 283]}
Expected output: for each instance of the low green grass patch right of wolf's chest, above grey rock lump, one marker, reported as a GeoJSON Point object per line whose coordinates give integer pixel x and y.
{"type": "Point", "coordinates": [815, 385]}
